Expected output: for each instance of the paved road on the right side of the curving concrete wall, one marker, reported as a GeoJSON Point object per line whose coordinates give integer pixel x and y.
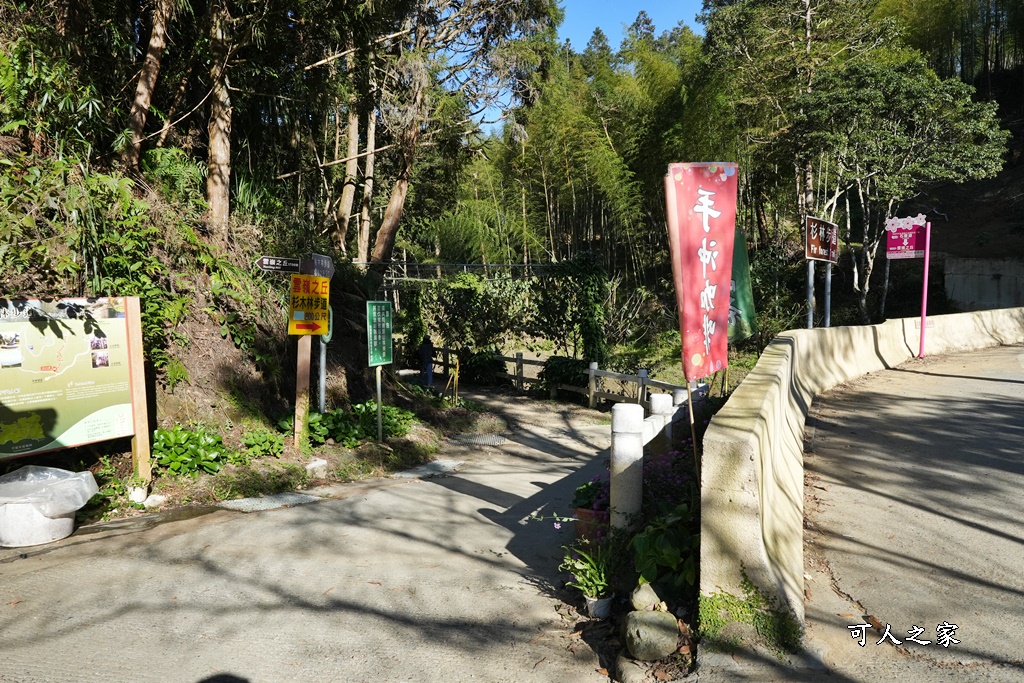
{"type": "Point", "coordinates": [915, 509]}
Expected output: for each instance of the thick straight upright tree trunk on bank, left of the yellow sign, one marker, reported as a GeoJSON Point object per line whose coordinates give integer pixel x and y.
{"type": "Point", "coordinates": [219, 181]}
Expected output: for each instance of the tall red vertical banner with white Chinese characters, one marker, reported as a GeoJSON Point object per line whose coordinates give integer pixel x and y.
{"type": "Point", "coordinates": [701, 201]}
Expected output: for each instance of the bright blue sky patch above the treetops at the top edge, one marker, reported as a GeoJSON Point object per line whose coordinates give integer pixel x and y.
{"type": "Point", "coordinates": [614, 17]}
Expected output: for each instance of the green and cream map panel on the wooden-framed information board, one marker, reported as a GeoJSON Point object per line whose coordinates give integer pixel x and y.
{"type": "Point", "coordinates": [65, 376]}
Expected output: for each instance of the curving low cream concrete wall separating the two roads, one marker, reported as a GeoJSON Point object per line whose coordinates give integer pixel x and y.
{"type": "Point", "coordinates": [752, 485]}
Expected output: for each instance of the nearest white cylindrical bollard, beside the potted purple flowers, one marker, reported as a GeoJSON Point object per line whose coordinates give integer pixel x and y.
{"type": "Point", "coordinates": [627, 463]}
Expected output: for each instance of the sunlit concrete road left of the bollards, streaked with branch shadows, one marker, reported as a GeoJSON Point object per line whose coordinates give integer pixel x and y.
{"type": "Point", "coordinates": [433, 580]}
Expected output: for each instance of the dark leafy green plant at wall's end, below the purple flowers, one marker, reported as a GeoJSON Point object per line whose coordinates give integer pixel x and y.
{"type": "Point", "coordinates": [667, 552]}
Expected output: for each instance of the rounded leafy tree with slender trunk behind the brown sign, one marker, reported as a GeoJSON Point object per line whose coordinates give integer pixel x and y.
{"type": "Point", "coordinates": [887, 130]}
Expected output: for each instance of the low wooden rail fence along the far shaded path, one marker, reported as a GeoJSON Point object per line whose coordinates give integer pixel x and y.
{"type": "Point", "coordinates": [595, 390]}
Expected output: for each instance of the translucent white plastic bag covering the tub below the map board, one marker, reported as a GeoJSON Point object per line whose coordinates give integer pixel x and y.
{"type": "Point", "coordinates": [54, 492]}
